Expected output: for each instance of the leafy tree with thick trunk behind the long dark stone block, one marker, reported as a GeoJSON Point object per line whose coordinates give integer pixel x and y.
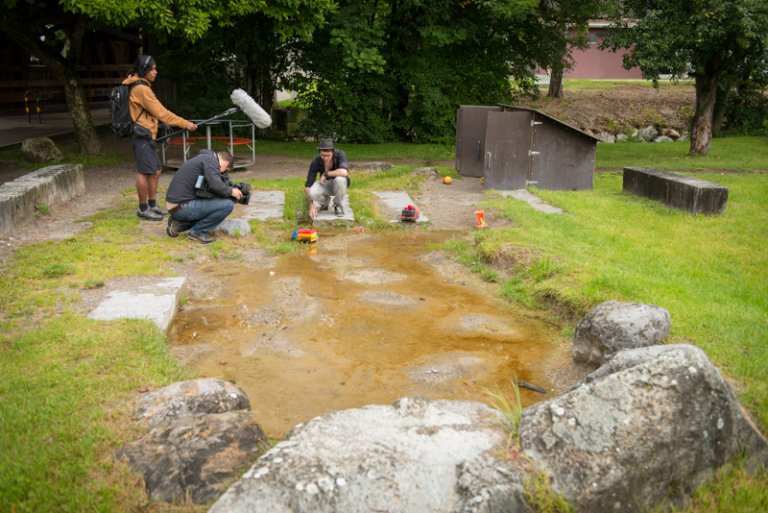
{"type": "Point", "coordinates": [710, 40]}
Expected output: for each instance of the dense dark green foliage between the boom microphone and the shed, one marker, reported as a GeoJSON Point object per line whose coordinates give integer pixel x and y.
{"type": "Point", "coordinates": [398, 69]}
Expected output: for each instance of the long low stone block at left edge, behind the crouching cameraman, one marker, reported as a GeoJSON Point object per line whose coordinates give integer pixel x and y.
{"type": "Point", "coordinates": [49, 185]}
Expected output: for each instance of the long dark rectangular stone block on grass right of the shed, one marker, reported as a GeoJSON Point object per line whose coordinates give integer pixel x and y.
{"type": "Point", "coordinates": [687, 193]}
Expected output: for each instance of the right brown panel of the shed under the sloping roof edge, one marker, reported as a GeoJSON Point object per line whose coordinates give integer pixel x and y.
{"type": "Point", "coordinates": [562, 159]}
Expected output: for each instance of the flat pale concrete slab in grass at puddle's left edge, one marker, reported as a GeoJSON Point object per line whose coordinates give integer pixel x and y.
{"type": "Point", "coordinates": [156, 302]}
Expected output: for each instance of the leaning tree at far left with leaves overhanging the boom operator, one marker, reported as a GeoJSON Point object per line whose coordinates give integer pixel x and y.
{"type": "Point", "coordinates": [53, 31]}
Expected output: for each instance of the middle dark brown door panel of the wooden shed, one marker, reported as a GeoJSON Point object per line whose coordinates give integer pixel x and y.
{"type": "Point", "coordinates": [507, 141]}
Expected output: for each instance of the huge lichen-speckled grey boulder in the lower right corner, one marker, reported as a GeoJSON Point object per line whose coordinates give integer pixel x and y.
{"type": "Point", "coordinates": [641, 433]}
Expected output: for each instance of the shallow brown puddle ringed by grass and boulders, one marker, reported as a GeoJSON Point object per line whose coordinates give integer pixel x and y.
{"type": "Point", "coordinates": [359, 319]}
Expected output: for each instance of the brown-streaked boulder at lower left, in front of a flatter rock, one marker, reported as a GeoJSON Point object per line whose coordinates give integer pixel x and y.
{"type": "Point", "coordinates": [195, 458]}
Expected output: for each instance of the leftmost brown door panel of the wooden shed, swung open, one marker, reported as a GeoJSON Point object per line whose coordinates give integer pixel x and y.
{"type": "Point", "coordinates": [470, 138]}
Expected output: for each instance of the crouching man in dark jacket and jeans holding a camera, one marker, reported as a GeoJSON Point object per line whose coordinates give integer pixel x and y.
{"type": "Point", "coordinates": [201, 196]}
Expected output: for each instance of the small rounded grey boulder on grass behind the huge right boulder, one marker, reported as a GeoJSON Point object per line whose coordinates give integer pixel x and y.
{"type": "Point", "coordinates": [613, 326]}
